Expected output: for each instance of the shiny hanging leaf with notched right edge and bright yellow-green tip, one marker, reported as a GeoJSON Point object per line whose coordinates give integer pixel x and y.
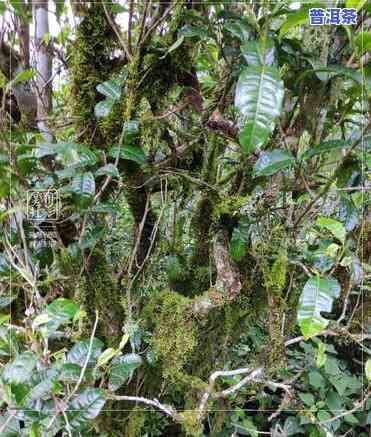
{"type": "Point", "coordinates": [317, 296]}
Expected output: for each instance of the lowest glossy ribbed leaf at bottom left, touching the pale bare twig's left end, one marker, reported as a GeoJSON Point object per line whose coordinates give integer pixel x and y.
{"type": "Point", "coordinates": [85, 407]}
